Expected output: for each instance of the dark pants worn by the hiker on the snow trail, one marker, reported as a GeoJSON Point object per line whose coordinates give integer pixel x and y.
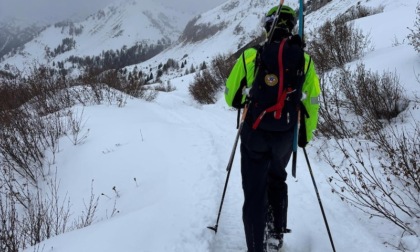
{"type": "Point", "coordinates": [264, 157]}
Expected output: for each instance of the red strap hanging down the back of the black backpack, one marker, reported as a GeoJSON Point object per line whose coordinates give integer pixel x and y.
{"type": "Point", "coordinates": [281, 97]}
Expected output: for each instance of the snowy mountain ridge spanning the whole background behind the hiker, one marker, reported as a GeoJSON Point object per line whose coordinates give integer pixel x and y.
{"type": "Point", "coordinates": [126, 23]}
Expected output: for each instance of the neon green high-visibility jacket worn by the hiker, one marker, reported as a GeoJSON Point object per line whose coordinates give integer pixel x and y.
{"type": "Point", "coordinates": [243, 74]}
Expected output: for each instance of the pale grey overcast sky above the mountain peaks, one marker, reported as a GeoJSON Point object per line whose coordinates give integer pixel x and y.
{"type": "Point", "coordinates": [55, 10]}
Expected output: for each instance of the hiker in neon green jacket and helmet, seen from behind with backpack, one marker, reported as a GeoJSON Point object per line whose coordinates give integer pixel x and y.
{"type": "Point", "coordinates": [275, 82]}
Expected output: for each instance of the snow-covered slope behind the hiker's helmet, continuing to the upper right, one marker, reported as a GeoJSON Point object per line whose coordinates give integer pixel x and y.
{"type": "Point", "coordinates": [239, 22]}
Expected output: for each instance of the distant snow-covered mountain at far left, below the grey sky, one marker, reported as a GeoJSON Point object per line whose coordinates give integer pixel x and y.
{"type": "Point", "coordinates": [122, 23]}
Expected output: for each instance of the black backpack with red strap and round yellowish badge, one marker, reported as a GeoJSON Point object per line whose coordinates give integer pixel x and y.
{"type": "Point", "coordinates": [276, 85]}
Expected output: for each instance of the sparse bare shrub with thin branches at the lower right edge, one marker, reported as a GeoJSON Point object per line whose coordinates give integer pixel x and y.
{"type": "Point", "coordinates": [387, 187]}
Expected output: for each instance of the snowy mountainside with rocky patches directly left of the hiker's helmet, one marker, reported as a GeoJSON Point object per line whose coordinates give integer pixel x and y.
{"type": "Point", "coordinates": [230, 27]}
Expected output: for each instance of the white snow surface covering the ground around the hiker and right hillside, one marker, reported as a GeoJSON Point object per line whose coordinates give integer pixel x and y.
{"type": "Point", "coordinates": [167, 161]}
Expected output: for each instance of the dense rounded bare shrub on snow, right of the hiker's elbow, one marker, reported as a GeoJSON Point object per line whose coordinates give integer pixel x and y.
{"type": "Point", "coordinates": [371, 99]}
